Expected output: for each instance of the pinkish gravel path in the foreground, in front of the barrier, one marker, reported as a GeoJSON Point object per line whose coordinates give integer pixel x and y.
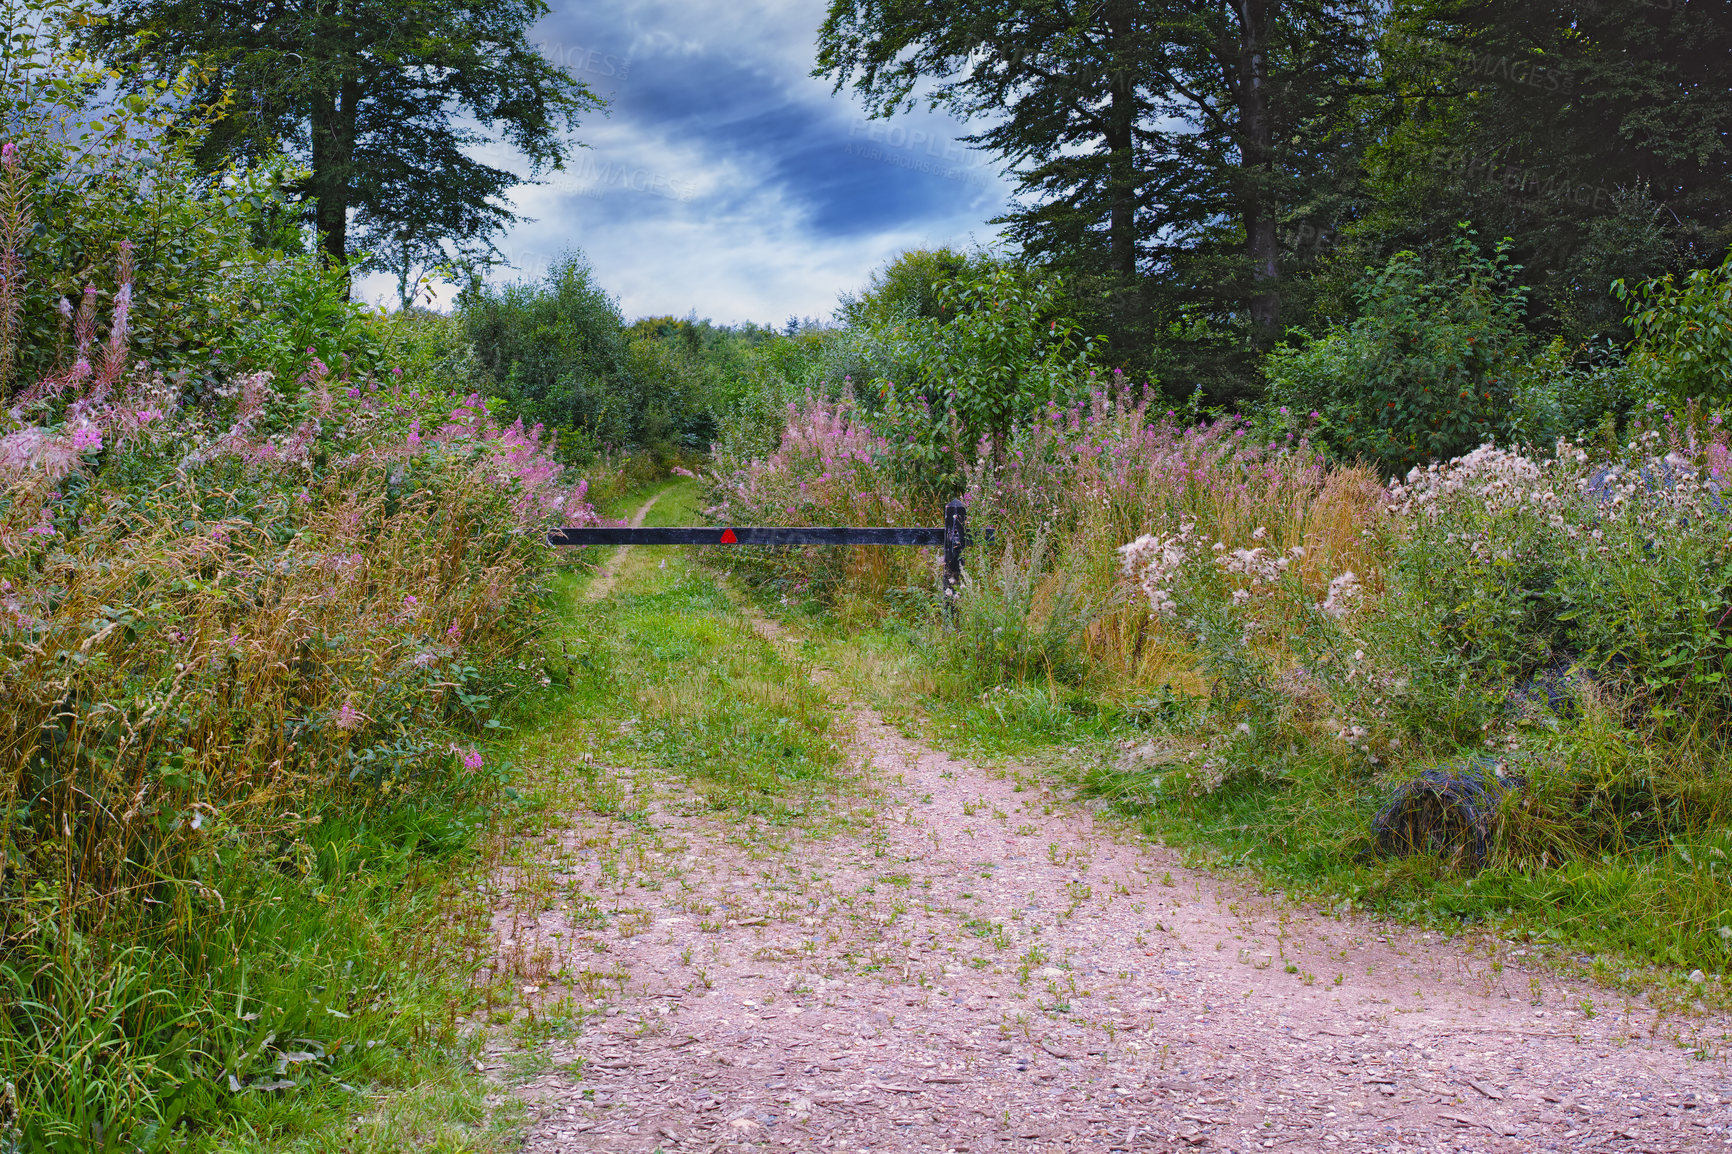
{"type": "Point", "coordinates": [955, 959]}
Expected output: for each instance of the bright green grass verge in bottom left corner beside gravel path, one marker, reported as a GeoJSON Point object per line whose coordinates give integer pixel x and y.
{"type": "Point", "coordinates": [309, 1008]}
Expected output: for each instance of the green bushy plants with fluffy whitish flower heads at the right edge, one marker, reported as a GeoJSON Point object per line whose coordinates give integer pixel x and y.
{"type": "Point", "coordinates": [1622, 567]}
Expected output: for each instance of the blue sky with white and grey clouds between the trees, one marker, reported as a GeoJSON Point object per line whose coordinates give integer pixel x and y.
{"type": "Point", "coordinates": [723, 178]}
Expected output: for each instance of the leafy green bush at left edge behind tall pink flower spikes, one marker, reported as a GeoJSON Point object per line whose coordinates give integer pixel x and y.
{"type": "Point", "coordinates": [223, 285]}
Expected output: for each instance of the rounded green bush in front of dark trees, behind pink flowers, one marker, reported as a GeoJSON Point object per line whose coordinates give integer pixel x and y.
{"type": "Point", "coordinates": [1425, 373]}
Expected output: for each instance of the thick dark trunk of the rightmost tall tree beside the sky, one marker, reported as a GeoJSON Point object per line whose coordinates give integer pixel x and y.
{"type": "Point", "coordinates": [1258, 167]}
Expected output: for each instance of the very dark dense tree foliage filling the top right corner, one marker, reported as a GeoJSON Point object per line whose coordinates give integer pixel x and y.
{"type": "Point", "coordinates": [1598, 134]}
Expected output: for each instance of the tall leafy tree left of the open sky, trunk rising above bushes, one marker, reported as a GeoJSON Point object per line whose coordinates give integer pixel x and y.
{"type": "Point", "coordinates": [370, 94]}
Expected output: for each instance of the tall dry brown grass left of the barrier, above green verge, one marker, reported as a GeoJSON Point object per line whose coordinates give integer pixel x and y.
{"type": "Point", "coordinates": [195, 661]}
